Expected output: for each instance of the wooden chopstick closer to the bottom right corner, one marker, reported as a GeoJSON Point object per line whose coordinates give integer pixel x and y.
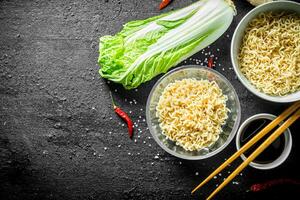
{"type": "Point", "coordinates": [258, 151]}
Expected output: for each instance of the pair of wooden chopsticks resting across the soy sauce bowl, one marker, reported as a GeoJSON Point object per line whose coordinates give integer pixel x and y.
{"type": "Point", "coordinates": [295, 108]}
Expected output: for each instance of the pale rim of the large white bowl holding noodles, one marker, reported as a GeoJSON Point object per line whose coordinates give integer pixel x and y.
{"type": "Point", "coordinates": [245, 81]}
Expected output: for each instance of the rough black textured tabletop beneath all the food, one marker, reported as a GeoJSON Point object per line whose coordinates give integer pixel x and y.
{"type": "Point", "coordinates": [59, 136]}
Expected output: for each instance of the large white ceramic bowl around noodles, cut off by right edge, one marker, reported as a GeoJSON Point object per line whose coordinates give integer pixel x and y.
{"type": "Point", "coordinates": [237, 39]}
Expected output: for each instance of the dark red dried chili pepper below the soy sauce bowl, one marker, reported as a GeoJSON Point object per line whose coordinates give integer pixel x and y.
{"type": "Point", "coordinates": [262, 186]}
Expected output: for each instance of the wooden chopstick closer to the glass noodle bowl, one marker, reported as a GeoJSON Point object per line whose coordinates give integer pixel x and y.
{"type": "Point", "coordinates": [256, 138]}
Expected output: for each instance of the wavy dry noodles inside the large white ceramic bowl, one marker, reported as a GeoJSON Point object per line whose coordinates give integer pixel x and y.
{"type": "Point", "coordinates": [270, 53]}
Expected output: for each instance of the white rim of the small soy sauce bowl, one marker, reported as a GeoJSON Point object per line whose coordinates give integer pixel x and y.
{"type": "Point", "coordinates": [287, 144]}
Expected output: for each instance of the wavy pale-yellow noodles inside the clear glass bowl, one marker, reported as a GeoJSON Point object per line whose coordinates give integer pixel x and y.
{"type": "Point", "coordinates": [191, 112]}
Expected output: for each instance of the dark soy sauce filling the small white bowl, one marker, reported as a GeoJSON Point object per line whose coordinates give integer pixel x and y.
{"type": "Point", "coordinates": [269, 154]}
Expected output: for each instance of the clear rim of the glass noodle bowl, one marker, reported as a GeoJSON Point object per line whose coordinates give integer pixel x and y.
{"type": "Point", "coordinates": [230, 136]}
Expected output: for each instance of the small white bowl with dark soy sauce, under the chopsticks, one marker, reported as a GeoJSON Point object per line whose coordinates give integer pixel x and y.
{"type": "Point", "coordinates": [275, 154]}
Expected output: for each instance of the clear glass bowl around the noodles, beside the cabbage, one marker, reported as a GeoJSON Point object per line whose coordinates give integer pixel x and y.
{"type": "Point", "coordinates": [229, 129]}
